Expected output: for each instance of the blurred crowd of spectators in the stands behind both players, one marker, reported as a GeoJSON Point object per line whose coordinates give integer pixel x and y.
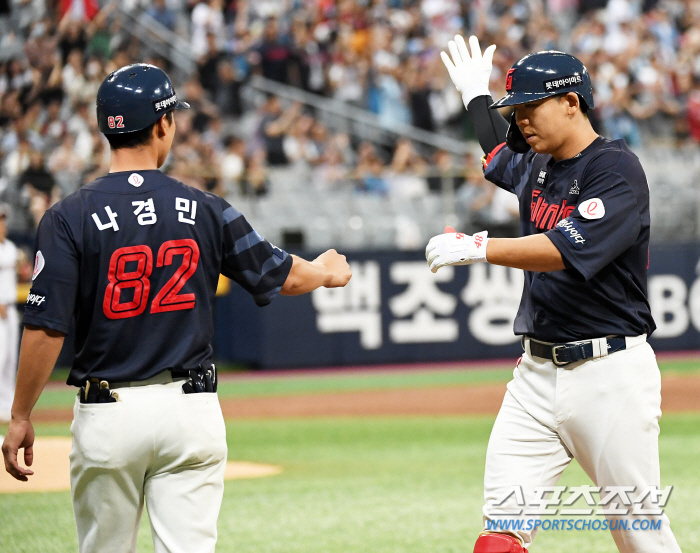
{"type": "Point", "coordinates": [380, 55]}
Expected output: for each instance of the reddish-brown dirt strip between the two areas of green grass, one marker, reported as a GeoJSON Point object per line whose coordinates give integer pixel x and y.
{"type": "Point", "coordinates": [679, 393]}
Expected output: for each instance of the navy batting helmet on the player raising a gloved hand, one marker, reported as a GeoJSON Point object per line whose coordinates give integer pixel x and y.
{"type": "Point", "coordinates": [545, 74]}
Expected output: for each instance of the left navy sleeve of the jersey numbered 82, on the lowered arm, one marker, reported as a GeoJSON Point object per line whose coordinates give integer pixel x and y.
{"type": "Point", "coordinates": [51, 300]}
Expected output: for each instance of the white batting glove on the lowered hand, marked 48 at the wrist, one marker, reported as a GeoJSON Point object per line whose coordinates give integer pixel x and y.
{"type": "Point", "coordinates": [456, 248]}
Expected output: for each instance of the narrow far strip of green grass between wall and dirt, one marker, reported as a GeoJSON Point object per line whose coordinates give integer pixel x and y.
{"type": "Point", "coordinates": [255, 385]}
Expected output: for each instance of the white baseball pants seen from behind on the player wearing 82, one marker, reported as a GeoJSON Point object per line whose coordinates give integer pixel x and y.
{"type": "Point", "coordinates": [156, 443]}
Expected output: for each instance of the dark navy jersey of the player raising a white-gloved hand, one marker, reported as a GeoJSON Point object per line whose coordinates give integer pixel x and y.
{"type": "Point", "coordinates": [595, 209]}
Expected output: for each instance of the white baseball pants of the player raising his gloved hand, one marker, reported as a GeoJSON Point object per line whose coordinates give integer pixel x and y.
{"type": "Point", "coordinates": [603, 412]}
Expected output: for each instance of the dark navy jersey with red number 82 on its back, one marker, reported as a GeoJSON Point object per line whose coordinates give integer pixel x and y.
{"type": "Point", "coordinates": [135, 258]}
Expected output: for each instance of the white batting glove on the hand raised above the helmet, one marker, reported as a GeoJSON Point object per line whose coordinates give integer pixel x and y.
{"type": "Point", "coordinates": [470, 74]}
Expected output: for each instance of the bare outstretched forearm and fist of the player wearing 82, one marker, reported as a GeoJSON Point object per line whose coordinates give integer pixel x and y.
{"type": "Point", "coordinates": [330, 270]}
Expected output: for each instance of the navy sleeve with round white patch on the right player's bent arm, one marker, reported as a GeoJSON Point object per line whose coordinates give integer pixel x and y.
{"type": "Point", "coordinates": [605, 223]}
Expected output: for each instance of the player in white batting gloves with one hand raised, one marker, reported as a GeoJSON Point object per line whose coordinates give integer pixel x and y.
{"type": "Point", "coordinates": [587, 386]}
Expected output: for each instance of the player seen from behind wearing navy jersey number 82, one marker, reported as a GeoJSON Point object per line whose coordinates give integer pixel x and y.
{"type": "Point", "coordinates": [133, 259]}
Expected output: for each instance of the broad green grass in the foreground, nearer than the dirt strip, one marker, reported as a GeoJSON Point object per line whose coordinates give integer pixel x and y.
{"type": "Point", "coordinates": [368, 485]}
